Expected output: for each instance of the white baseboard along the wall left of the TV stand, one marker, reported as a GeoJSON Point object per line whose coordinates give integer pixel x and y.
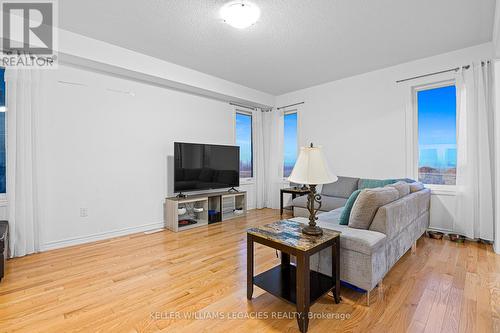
{"type": "Point", "coordinates": [99, 236]}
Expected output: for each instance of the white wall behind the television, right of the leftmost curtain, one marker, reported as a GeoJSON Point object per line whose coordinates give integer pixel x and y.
{"type": "Point", "coordinates": [107, 151]}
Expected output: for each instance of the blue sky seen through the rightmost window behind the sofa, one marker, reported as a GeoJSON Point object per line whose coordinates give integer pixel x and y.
{"type": "Point", "coordinates": [437, 127]}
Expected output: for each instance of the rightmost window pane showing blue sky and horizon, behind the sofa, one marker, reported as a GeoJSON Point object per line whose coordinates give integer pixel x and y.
{"type": "Point", "coordinates": [437, 135]}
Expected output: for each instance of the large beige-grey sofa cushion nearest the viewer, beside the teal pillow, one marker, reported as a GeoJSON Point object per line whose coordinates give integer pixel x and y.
{"type": "Point", "coordinates": [368, 202]}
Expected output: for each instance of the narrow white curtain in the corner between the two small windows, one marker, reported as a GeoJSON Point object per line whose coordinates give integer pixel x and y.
{"type": "Point", "coordinates": [259, 164]}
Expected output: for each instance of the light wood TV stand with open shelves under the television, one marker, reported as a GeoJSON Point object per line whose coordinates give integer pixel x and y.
{"type": "Point", "coordinates": [225, 202]}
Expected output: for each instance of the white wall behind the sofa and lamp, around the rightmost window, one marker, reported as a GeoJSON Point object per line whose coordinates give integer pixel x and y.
{"type": "Point", "coordinates": [360, 121]}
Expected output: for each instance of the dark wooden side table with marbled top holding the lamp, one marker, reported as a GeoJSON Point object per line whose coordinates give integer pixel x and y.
{"type": "Point", "coordinates": [295, 284]}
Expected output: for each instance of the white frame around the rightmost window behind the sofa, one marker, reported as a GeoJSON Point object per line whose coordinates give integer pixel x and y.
{"type": "Point", "coordinates": [414, 159]}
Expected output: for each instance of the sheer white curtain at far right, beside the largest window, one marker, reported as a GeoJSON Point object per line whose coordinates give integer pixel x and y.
{"type": "Point", "coordinates": [475, 144]}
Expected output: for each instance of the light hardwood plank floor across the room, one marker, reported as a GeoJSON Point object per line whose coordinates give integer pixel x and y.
{"type": "Point", "coordinates": [136, 283]}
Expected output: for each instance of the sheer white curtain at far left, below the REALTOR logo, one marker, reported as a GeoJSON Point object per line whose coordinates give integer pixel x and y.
{"type": "Point", "coordinates": [22, 102]}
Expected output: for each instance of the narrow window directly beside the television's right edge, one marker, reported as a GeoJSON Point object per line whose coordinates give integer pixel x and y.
{"type": "Point", "coordinates": [244, 140]}
